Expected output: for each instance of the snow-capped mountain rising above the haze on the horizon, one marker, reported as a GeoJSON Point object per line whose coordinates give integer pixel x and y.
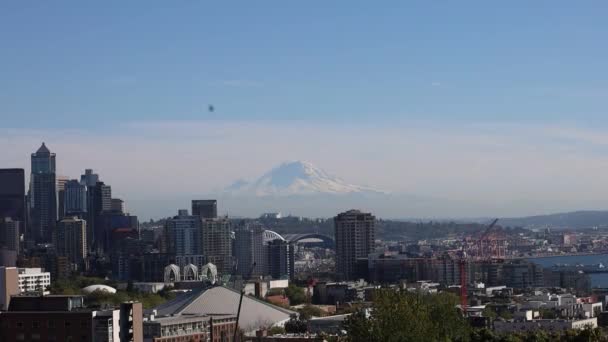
{"type": "Point", "coordinates": [296, 178]}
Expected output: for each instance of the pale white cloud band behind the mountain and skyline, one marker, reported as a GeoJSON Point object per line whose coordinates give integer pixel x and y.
{"type": "Point", "coordinates": [521, 168]}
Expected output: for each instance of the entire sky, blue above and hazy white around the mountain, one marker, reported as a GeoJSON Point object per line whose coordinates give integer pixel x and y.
{"type": "Point", "coordinates": [471, 100]}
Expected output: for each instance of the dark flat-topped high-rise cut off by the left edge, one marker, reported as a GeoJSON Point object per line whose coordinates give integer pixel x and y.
{"type": "Point", "coordinates": [12, 194]}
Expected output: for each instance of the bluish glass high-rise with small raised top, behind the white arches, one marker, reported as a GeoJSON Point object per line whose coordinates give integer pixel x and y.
{"type": "Point", "coordinates": [183, 234]}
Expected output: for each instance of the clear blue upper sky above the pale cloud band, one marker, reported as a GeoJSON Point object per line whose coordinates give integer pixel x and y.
{"type": "Point", "coordinates": [66, 63]}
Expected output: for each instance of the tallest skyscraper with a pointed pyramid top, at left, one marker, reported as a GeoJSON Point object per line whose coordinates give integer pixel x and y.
{"type": "Point", "coordinates": [43, 195]}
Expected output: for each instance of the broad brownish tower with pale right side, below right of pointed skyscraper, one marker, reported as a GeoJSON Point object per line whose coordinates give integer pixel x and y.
{"type": "Point", "coordinates": [71, 240]}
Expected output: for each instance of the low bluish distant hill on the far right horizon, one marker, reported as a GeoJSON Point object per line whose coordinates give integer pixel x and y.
{"type": "Point", "coordinates": [570, 220]}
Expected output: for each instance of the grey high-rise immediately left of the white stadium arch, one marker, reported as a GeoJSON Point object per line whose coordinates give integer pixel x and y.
{"type": "Point", "coordinates": [249, 248]}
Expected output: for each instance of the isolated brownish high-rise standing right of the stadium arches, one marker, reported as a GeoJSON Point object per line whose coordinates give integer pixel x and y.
{"type": "Point", "coordinates": [355, 235]}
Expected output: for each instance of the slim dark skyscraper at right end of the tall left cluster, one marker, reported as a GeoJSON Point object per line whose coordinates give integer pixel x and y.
{"type": "Point", "coordinates": [99, 201]}
